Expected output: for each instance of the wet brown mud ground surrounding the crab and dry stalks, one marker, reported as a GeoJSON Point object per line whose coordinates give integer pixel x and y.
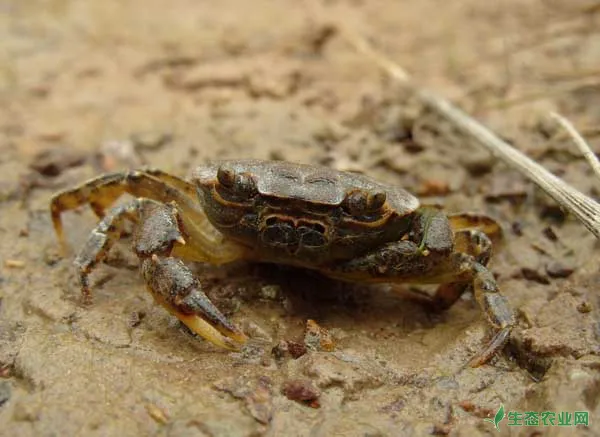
{"type": "Point", "coordinates": [88, 87]}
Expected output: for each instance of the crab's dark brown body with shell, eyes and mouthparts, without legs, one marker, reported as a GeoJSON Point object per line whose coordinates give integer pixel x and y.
{"type": "Point", "coordinates": [299, 214]}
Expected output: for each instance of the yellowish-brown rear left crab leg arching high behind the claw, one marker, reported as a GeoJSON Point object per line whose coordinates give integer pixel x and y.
{"type": "Point", "coordinates": [206, 243]}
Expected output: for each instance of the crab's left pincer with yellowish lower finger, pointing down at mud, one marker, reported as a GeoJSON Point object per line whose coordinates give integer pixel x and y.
{"type": "Point", "coordinates": [173, 286]}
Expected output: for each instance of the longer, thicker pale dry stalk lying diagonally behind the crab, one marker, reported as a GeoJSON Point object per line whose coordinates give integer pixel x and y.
{"type": "Point", "coordinates": [583, 207]}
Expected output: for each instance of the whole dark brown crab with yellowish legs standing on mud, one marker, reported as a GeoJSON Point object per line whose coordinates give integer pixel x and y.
{"type": "Point", "coordinates": [344, 225]}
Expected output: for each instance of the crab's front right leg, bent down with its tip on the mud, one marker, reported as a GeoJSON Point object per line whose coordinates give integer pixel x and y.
{"type": "Point", "coordinates": [404, 261]}
